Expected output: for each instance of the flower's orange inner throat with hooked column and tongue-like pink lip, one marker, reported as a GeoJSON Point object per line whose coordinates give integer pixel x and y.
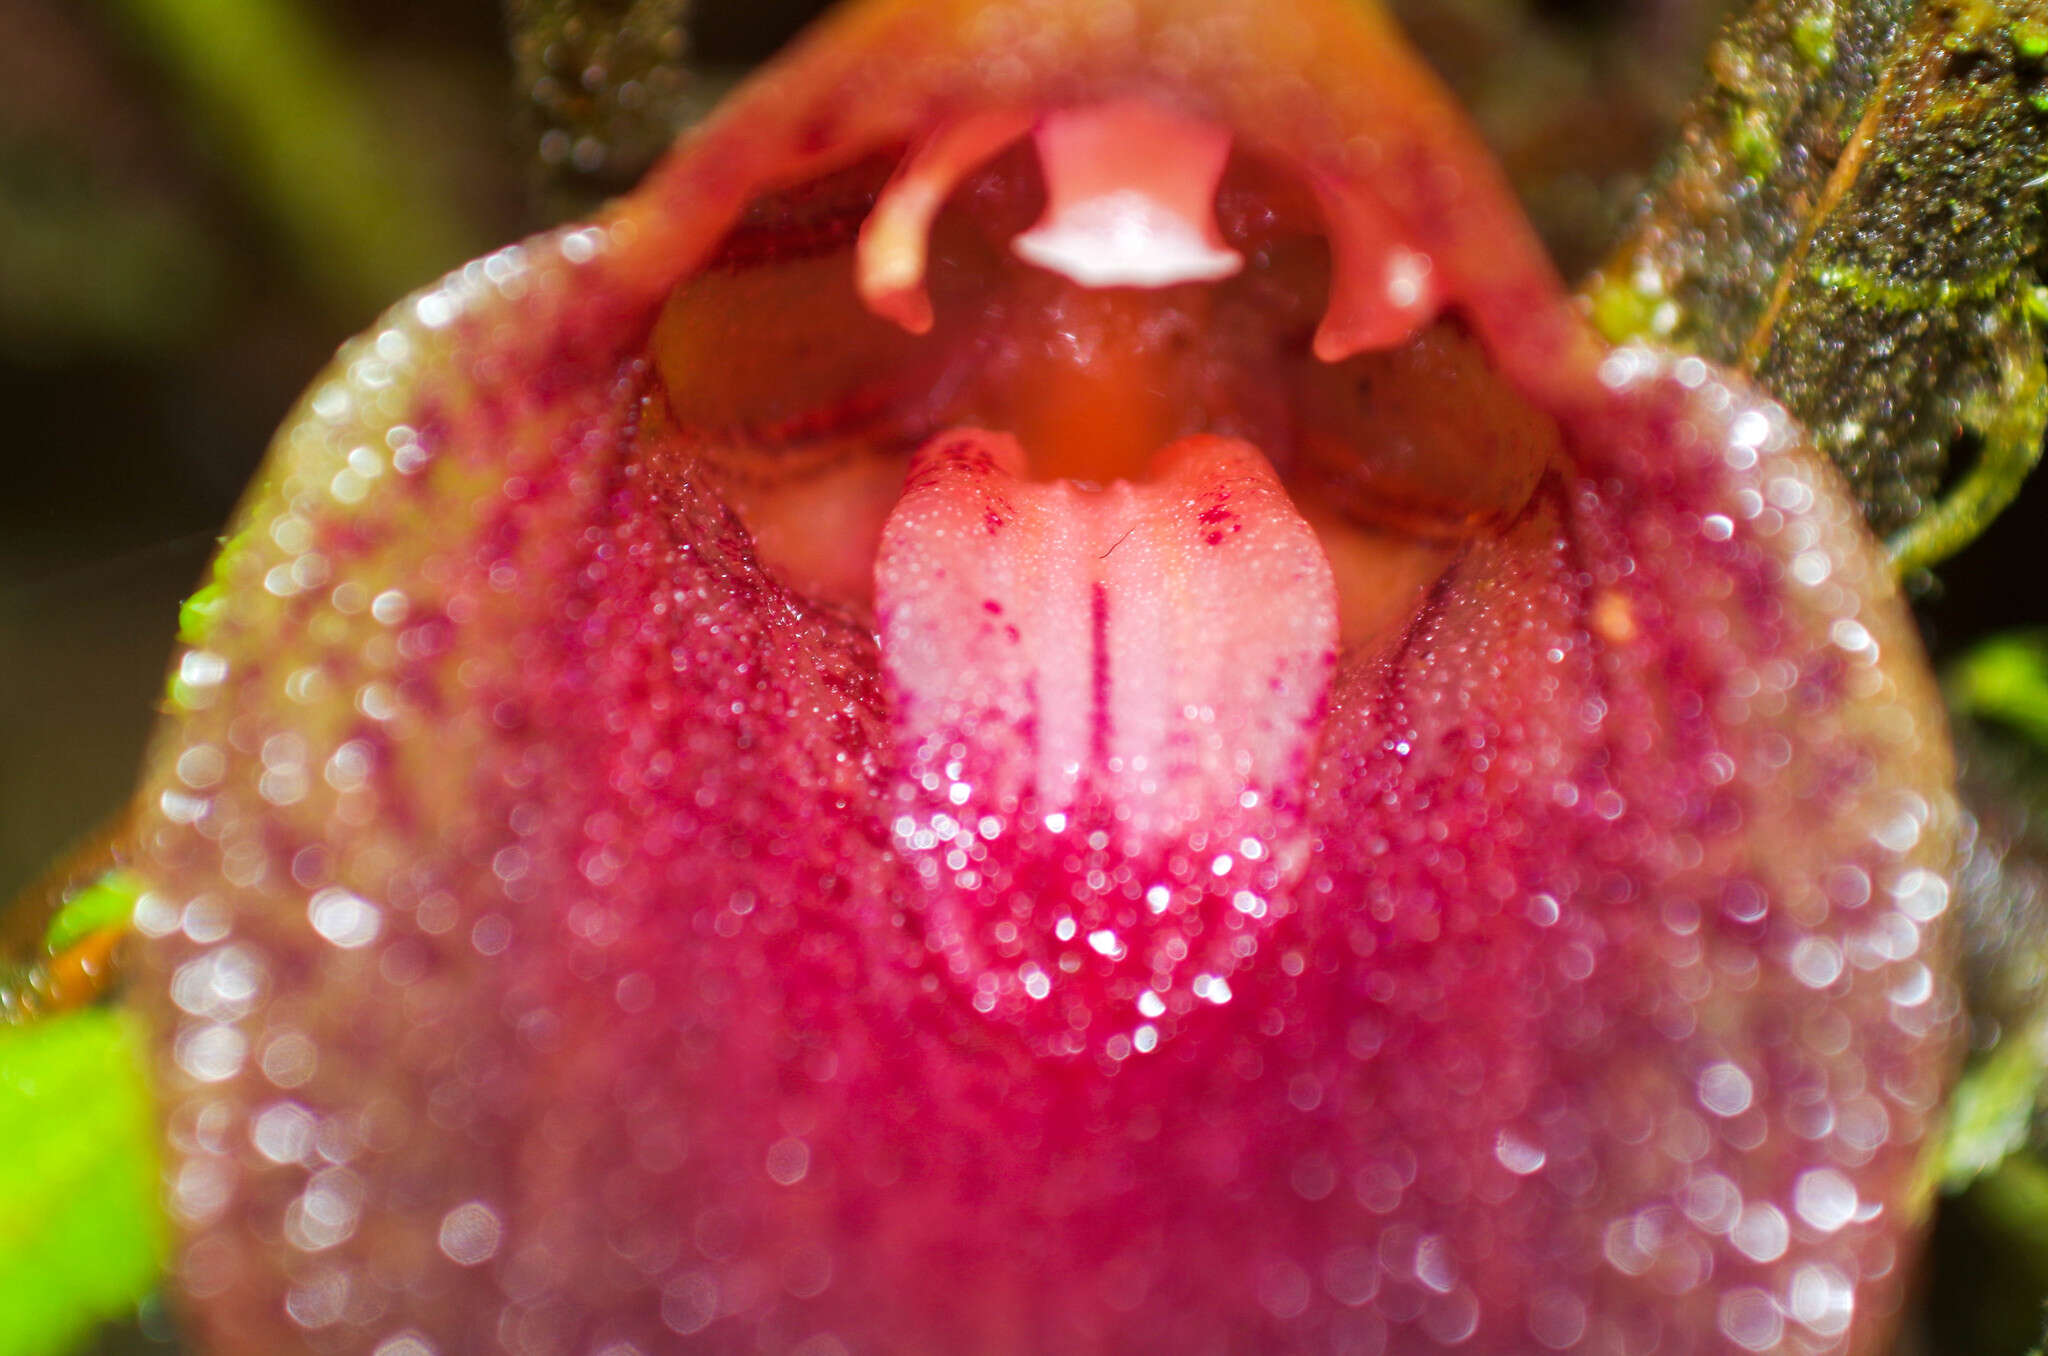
{"type": "Point", "coordinates": [1152, 503]}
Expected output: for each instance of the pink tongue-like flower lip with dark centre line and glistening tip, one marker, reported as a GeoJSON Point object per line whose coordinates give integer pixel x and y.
{"type": "Point", "coordinates": [1105, 710]}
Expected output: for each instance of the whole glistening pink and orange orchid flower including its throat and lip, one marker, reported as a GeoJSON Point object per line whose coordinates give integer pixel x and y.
{"type": "Point", "coordinates": [1048, 700]}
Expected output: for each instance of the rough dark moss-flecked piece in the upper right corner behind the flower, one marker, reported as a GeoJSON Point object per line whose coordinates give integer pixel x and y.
{"type": "Point", "coordinates": [1852, 220]}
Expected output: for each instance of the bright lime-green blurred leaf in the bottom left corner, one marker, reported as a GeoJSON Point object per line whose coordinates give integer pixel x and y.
{"type": "Point", "coordinates": [81, 1228]}
